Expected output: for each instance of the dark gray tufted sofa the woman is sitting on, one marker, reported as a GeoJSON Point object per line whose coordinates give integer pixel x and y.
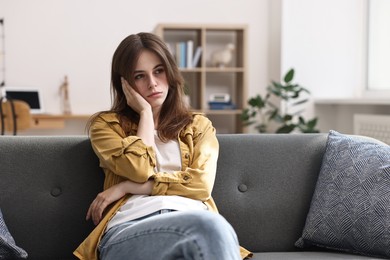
{"type": "Point", "coordinates": [263, 188]}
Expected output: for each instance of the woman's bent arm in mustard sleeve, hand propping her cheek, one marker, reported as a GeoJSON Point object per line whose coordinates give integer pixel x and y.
{"type": "Point", "coordinates": [131, 157]}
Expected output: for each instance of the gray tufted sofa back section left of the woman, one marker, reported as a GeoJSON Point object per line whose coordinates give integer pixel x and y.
{"type": "Point", "coordinates": [46, 186]}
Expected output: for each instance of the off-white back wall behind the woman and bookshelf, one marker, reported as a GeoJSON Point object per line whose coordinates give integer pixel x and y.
{"type": "Point", "coordinates": [48, 39]}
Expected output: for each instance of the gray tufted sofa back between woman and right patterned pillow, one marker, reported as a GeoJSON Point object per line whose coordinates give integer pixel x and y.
{"type": "Point", "coordinates": [264, 186]}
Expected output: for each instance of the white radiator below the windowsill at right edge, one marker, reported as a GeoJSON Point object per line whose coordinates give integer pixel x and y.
{"type": "Point", "coordinates": [376, 126]}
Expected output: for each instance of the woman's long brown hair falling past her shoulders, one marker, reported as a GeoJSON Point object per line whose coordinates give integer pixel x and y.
{"type": "Point", "coordinates": [174, 114]}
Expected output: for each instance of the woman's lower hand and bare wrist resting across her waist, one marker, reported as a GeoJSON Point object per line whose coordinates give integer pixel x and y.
{"type": "Point", "coordinates": [114, 193]}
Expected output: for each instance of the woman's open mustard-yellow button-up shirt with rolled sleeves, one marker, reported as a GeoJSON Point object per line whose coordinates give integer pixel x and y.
{"type": "Point", "coordinates": [127, 158]}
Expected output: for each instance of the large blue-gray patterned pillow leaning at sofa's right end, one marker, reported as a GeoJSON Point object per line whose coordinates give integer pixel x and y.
{"type": "Point", "coordinates": [350, 208]}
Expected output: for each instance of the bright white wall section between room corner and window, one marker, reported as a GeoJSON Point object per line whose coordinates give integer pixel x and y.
{"type": "Point", "coordinates": [324, 40]}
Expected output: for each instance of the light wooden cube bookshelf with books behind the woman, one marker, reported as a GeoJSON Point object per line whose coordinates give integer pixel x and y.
{"type": "Point", "coordinates": [207, 77]}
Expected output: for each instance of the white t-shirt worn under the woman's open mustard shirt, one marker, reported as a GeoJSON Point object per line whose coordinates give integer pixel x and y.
{"type": "Point", "coordinates": [168, 160]}
